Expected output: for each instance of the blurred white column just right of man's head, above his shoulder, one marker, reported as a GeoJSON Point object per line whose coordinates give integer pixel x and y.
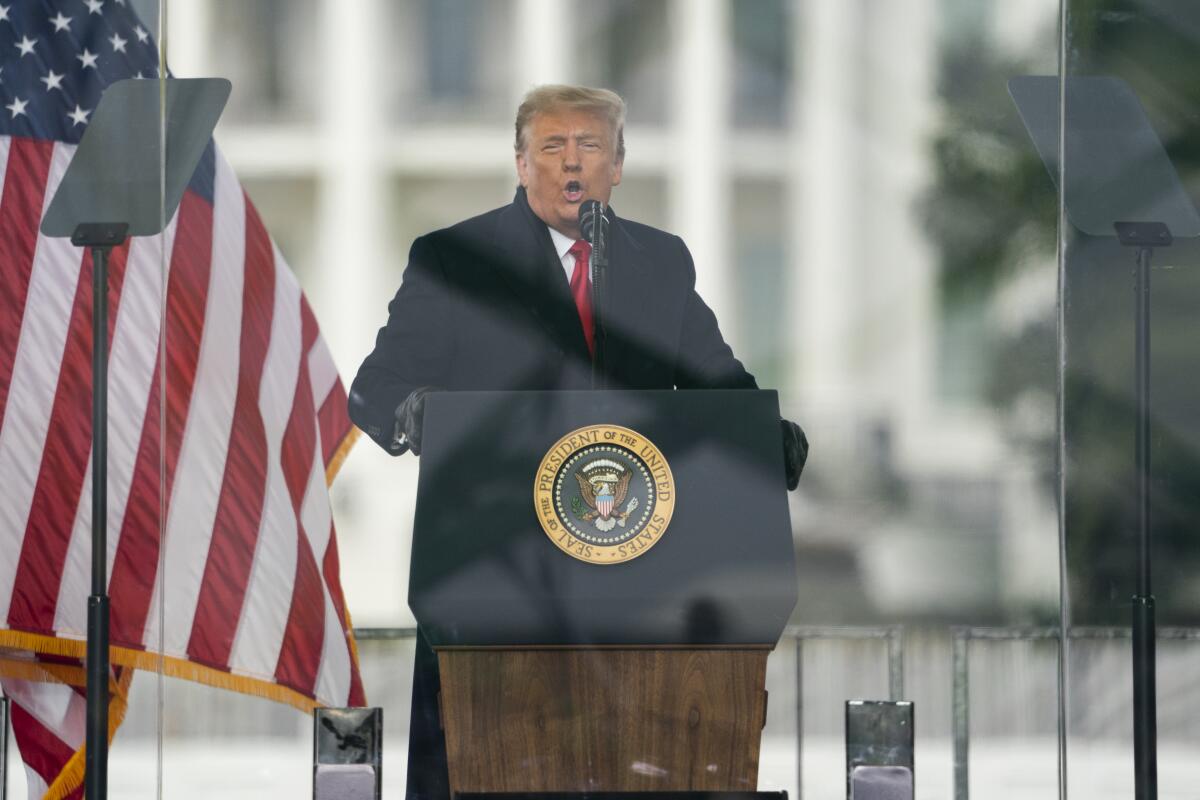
{"type": "Point", "coordinates": [699, 187]}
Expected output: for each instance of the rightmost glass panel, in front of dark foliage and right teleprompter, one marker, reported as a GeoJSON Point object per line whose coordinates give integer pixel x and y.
{"type": "Point", "coordinates": [1129, 404]}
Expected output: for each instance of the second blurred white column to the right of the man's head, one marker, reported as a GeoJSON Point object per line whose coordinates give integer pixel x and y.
{"type": "Point", "coordinates": [821, 231]}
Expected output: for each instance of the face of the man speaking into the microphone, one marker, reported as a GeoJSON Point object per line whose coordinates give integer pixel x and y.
{"type": "Point", "coordinates": [569, 157]}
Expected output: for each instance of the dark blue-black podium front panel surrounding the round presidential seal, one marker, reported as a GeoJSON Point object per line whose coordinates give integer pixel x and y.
{"type": "Point", "coordinates": [485, 574]}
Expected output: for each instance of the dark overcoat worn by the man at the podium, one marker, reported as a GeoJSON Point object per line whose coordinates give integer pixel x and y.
{"type": "Point", "coordinates": [485, 305]}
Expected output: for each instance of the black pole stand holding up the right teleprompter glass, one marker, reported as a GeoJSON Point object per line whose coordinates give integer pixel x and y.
{"type": "Point", "coordinates": [1145, 237]}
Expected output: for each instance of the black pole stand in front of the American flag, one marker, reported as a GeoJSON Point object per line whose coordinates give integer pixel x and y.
{"type": "Point", "coordinates": [101, 238]}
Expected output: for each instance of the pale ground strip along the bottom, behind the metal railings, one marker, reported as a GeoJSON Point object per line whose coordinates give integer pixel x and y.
{"type": "Point", "coordinates": [248, 769]}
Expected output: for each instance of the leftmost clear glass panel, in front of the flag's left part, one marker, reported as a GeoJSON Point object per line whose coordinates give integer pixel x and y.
{"type": "Point", "coordinates": [80, 147]}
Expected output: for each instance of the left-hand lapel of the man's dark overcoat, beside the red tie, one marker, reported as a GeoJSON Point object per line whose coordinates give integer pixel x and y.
{"type": "Point", "coordinates": [535, 275]}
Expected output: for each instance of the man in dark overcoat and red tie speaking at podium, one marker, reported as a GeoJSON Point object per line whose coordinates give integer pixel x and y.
{"type": "Point", "coordinates": [505, 302]}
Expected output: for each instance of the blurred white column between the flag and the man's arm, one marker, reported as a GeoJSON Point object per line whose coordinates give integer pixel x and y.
{"type": "Point", "coordinates": [355, 279]}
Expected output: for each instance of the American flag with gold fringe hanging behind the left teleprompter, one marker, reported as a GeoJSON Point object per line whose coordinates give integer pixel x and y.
{"type": "Point", "coordinates": [219, 462]}
